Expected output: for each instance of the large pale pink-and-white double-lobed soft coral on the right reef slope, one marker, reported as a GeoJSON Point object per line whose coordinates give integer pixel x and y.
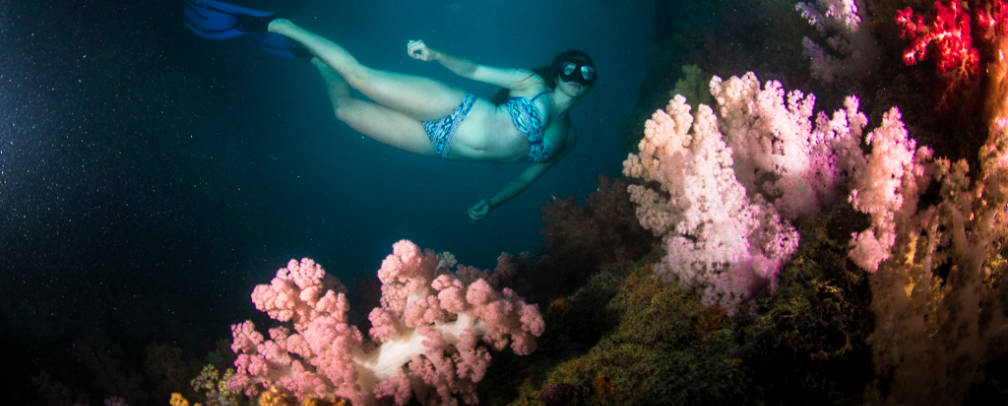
{"type": "Point", "coordinates": [730, 183]}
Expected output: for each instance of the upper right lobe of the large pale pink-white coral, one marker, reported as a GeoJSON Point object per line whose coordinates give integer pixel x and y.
{"type": "Point", "coordinates": [782, 149]}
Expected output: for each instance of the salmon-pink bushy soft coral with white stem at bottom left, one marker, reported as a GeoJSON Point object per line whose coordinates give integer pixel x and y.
{"type": "Point", "coordinates": [428, 334]}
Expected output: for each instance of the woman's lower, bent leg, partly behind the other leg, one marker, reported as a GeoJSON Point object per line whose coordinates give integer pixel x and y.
{"type": "Point", "coordinates": [383, 124]}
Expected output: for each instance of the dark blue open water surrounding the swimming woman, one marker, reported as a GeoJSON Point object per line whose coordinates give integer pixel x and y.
{"type": "Point", "coordinates": [150, 178]}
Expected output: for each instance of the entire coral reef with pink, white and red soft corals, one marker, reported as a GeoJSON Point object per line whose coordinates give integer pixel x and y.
{"type": "Point", "coordinates": [897, 295]}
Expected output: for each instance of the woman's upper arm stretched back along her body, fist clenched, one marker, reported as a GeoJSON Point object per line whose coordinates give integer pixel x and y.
{"type": "Point", "coordinates": [515, 79]}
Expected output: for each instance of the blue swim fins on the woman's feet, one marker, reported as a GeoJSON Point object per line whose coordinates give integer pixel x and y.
{"type": "Point", "coordinates": [219, 21]}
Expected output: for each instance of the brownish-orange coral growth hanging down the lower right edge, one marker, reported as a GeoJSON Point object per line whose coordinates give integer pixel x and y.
{"type": "Point", "coordinates": [941, 302]}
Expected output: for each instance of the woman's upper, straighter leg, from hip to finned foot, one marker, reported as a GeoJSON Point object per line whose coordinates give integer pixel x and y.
{"type": "Point", "coordinates": [421, 98]}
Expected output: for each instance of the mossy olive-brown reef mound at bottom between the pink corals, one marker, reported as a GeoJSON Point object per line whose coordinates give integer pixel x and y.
{"type": "Point", "coordinates": [665, 349]}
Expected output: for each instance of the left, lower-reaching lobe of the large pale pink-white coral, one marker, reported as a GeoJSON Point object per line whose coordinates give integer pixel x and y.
{"type": "Point", "coordinates": [717, 237]}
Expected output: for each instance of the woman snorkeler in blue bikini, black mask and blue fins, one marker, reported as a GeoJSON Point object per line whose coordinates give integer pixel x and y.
{"type": "Point", "coordinates": [425, 116]}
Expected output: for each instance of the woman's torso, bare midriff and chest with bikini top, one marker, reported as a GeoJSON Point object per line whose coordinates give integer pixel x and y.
{"type": "Point", "coordinates": [489, 133]}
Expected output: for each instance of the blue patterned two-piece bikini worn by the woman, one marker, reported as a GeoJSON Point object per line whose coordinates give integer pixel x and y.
{"type": "Point", "coordinates": [527, 118]}
